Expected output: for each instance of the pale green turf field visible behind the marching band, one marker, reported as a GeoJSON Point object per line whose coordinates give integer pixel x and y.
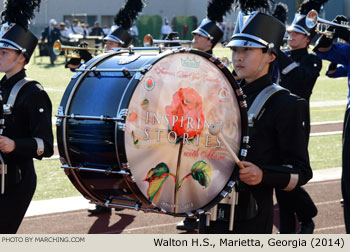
{"type": "Point", "coordinates": [325, 151]}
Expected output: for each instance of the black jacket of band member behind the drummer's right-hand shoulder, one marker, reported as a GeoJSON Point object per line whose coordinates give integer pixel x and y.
{"type": "Point", "coordinates": [301, 79]}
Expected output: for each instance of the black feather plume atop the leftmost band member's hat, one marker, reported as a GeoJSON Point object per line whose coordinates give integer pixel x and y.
{"type": "Point", "coordinates": [19, 11]}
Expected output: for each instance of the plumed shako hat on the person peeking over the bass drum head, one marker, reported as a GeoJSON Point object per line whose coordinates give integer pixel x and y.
{"type": "Point", "coordinates": [215, 11]}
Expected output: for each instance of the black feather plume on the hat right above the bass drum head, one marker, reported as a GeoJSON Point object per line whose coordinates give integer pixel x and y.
{"type": "Point", "coordinates": [218, 8]}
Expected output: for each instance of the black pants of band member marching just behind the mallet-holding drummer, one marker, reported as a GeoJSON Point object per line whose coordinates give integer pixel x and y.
{"type": "Point", "coordinates": [296, 203]}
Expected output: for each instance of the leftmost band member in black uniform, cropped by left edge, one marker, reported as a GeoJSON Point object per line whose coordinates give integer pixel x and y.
{"type": "Point", "coordinates": [28, 132]}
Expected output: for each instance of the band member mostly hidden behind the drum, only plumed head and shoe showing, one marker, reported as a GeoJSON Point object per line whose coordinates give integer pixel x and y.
{"type": "Point", "coordinates": [205, 37]}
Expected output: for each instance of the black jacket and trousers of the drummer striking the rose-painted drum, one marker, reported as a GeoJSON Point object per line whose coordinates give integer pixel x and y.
{"type": "Point", "coordinates": [278, 145]}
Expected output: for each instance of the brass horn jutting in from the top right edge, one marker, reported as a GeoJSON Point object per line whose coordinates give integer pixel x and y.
{"type": "Point", "coordinates": [312, 20]}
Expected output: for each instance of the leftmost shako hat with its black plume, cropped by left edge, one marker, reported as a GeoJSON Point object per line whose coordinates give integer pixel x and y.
{"type": "Point", "coordinates": [14, 33]}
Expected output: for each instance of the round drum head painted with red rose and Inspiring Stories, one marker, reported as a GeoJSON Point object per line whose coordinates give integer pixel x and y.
{"type": "Point", "coordinates": [175, 161]}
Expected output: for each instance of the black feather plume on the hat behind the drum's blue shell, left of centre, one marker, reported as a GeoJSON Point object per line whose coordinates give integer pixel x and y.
{"type": "Point", "coordinates": [128, 13]}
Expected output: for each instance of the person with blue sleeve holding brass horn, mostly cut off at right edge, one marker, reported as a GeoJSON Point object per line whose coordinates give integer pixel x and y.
{"type": "Point", "coordinates": [339, 53]}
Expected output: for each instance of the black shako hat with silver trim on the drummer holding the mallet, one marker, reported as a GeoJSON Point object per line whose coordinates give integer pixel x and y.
{"type": "Point", "coordinates": [256, 28]}
